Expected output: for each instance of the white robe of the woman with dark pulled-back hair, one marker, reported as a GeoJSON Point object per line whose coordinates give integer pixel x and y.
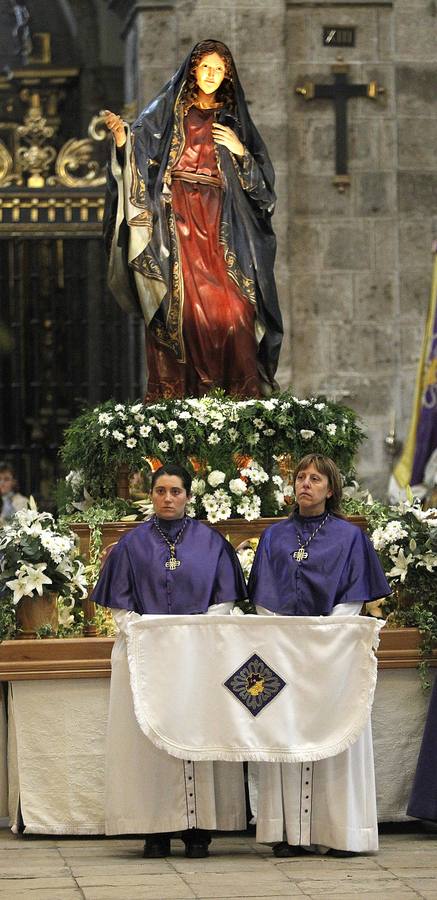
{"type": "Point", "coordinates": [148, 791]}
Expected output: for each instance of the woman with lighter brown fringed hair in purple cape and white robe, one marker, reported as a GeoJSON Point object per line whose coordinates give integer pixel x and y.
{"type": "Point", "coordinates": [318, 564]}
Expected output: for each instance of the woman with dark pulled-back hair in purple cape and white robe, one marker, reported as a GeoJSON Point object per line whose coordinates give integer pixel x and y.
{"type": "Point", "coordinates": [170, 565]}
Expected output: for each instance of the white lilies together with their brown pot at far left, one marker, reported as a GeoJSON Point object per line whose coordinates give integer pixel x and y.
{"type": "Point", "coordinates": [39, 561]}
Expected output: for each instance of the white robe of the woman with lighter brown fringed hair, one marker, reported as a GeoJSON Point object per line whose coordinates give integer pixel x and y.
{"type": "Point", "coordinates": [329, 803]}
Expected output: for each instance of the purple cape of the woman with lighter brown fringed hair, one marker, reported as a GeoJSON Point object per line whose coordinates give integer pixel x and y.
{"type": "Point", "coordinates": [342, 567]}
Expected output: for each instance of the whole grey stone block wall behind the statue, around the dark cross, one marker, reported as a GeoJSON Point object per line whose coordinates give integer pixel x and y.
{"type": "Point", "coordinates": [353, 268]}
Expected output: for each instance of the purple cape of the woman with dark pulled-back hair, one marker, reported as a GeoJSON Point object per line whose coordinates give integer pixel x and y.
{"type": "Point", "coordinates": [134, 576]}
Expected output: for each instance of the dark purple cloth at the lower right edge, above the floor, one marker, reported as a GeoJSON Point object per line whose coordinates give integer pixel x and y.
{"type": "Point", "coordinates": [423, 800]}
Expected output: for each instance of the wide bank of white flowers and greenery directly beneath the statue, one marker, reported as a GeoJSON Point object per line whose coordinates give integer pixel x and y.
{"type": "Point", "coordinates": [215, 430]}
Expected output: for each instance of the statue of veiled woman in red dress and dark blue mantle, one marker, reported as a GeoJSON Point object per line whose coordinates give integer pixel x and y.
{"type": "Point", "coordinates": [193, 221]}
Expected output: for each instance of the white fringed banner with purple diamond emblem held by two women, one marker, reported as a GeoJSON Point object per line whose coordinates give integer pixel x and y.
{"type": "Point", "coordinates": [277, 689]}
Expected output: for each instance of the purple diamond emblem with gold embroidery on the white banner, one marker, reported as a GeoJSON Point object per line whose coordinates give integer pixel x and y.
{"type": "Point", "coordinates": [255, 684]}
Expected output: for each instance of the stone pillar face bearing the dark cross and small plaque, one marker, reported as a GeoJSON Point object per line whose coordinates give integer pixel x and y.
{"type": "Point", "coordinates": [344, 294]}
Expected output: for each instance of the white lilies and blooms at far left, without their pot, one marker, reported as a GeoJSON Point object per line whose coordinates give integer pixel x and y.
{"type": "Point", "coordinates": [36, 555]}
